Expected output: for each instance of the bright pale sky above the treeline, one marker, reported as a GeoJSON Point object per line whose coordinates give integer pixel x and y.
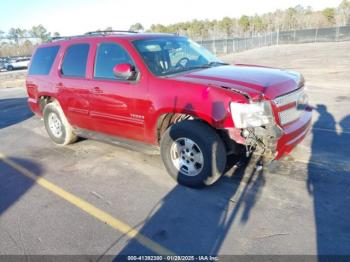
{"type": "Point", "coordinates": [79, 16]}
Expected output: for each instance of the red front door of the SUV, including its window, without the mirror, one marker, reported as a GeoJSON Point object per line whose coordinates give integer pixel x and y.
{"type": "Point", "coordinates": [117, 106]}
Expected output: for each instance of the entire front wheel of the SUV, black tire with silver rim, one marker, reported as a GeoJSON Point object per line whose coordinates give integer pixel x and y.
{"type": "Point", "coordinates": [193, 153]}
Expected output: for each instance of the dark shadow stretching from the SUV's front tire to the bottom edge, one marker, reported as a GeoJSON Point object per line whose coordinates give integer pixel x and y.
{"type": "Point", "coordinates": [191, 221]}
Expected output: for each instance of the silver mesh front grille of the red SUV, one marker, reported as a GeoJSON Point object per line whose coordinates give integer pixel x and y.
{"type": "Point", "coordinates": [292, 113]}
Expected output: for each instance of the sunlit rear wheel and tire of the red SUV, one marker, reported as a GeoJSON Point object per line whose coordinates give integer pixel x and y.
{"type": "Point", "coordinates": [57, 126]}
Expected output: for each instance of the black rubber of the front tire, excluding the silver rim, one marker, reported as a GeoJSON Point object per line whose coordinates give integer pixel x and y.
{"type": "Point", "coordinates": [213, 150]}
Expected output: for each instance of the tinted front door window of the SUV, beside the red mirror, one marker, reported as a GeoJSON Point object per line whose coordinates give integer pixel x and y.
{"type": "Point", "coordinates": [108, 55]}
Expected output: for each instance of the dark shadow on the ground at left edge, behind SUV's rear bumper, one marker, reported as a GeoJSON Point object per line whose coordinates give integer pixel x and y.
{"type": "Point", "coordinates": [13, 111]}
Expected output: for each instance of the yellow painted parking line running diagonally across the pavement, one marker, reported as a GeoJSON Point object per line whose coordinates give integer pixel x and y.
{"type": "Point", "coordinates": [88, 208]}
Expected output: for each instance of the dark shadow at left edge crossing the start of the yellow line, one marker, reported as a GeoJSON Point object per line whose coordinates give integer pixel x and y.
{"type": "Point", "coordinates": [14, 185]}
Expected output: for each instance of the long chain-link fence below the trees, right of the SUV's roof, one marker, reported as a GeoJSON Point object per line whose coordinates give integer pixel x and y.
{"type": "Point", "coordinates": [232, 45]}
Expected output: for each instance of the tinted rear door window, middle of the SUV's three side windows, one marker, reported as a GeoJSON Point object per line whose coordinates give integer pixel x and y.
{"type": "Point", "coordinates": [74, 61]}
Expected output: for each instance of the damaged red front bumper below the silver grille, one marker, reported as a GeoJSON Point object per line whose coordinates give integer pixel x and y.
{"type": "Point", "coordinates": [293, 134]}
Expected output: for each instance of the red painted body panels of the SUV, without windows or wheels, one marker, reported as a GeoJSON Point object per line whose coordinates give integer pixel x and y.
{"type": "Point", "coordinates": [131, 109]}
